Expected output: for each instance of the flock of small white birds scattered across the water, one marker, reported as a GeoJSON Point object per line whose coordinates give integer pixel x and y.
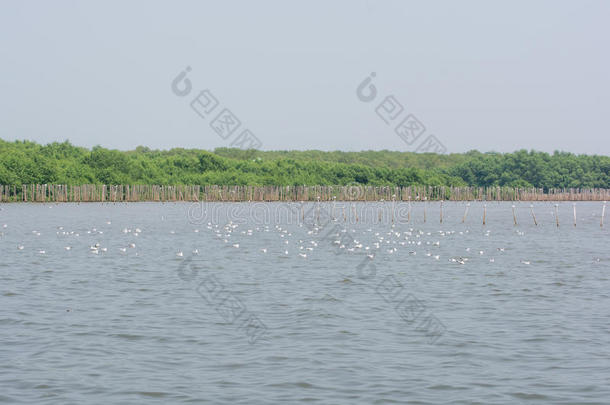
{"type": "Point", "coordinates": [305, 241]}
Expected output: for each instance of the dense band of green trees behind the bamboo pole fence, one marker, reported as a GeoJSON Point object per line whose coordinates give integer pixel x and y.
{"type": "Point", "coordinates": [24, 162]}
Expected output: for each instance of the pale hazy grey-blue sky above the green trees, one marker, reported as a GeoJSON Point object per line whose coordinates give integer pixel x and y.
{"type": "Point", "coordinates": [484, 75]}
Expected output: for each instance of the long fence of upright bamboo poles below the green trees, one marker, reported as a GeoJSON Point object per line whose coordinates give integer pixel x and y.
{"type": "Point", "coordinates": [137, 192]}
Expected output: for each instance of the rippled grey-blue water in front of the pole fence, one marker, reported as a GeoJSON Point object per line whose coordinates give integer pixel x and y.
{"type": "Point", "coordinates": [148, 325]}
